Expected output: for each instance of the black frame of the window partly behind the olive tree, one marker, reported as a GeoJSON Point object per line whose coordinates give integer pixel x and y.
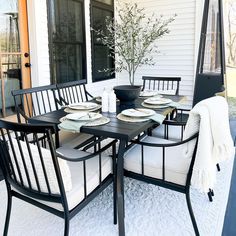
{"type": "Point", "coordinates": [107, 7]}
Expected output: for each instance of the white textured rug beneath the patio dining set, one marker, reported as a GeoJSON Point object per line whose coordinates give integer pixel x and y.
{"type": "Point", "coordinates": [150, 210]}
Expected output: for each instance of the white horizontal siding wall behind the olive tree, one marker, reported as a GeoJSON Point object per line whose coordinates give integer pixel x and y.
{"type": "Point", "coordinates": [177, 50]}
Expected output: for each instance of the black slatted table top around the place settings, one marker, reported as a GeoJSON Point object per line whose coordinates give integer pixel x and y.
{"type": "Point", "coordinates": [115, 128]}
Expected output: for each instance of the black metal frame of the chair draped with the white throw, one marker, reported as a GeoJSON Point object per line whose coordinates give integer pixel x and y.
{"type": "Point", "coordinates": [162, 182]}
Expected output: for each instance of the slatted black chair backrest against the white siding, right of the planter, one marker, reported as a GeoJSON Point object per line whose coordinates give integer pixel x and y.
{"type": "Point", "coordinates": [161, 84]}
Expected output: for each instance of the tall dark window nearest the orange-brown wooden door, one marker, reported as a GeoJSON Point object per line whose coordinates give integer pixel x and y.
{"type": "Point", "coordinates": [67, 40]}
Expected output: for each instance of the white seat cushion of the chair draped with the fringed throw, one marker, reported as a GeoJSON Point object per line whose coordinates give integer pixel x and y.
{"type": "Point", "coordinates": [176, 165]}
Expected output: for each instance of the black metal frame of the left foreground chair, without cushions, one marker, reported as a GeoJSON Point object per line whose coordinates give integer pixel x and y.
{"type": "Point", "coordinates": [18, 188]}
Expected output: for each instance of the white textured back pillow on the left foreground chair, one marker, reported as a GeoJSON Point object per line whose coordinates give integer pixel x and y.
{"type": "Point", "coordinates": [47, 159]}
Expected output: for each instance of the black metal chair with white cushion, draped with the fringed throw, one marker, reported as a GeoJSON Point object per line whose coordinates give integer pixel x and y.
{"type": "Point", "coordinates": [161, 162]}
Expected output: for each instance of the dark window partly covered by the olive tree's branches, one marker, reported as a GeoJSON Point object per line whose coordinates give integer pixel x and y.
{"type": "Point", "coordinates": [100, 53]}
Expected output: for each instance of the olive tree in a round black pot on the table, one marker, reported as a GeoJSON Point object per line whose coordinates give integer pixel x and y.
{"type": "Point", "coordinates": [131, 39]}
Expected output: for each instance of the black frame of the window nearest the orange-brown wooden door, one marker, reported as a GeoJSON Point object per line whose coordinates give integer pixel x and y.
{"type": "Point", "coordinates": [52, 65]}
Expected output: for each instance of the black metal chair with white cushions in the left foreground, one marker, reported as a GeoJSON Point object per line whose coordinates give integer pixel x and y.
{"type": "Point", "coordinates": [61, 181]}
